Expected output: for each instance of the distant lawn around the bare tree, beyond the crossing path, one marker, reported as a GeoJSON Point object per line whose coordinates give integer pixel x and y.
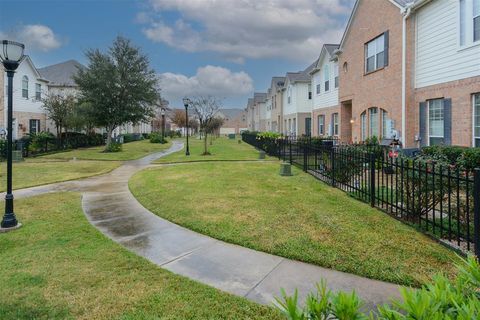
{"type": "Point", "coordinates": [222, 149]}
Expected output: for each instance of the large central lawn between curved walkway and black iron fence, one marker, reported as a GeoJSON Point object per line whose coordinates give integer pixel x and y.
{"type": "Point", "coordinates": [296, 217]}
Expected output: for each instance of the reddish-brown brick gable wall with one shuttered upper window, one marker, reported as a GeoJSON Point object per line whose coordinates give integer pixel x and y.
{"type": "Point", "coordinates": [382, 88]}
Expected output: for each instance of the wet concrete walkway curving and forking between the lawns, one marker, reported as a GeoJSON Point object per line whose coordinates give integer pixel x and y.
{"type": "Point", "coordinates": [109, 206]}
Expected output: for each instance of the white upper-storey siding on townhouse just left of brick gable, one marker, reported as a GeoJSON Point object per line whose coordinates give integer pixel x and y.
{"type": "Point", "coordinates": [329, 98]}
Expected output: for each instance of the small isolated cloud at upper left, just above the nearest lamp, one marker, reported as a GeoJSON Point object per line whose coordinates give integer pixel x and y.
{"type": "Point", "coordinates": [35, 37]}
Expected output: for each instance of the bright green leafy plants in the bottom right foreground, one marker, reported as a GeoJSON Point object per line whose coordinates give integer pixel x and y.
{"type": "Point", "coordinates": [442, 299]}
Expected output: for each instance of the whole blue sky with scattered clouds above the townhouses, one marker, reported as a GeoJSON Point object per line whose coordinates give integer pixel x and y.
{"type": "Point", "coordinates": [227, 48]}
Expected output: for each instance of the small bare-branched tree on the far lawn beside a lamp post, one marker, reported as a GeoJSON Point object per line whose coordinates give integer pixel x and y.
{"type": "Point", "coordinates": [206, 107]}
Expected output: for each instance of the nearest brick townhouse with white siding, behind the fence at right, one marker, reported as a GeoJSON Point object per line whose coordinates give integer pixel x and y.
{"type": "Point", "coordinates": [411, 69]}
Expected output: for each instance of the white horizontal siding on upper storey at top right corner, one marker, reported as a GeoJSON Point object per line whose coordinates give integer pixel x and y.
{"type": "Point", "coordinates": [439, 57]}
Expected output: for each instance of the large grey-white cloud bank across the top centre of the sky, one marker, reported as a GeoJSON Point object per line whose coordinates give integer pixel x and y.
{"type": "Point", "coordinates": [250, 28]}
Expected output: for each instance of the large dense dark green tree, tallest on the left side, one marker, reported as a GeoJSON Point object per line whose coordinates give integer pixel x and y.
{"type": "Point", "coordinates": [120, 86]}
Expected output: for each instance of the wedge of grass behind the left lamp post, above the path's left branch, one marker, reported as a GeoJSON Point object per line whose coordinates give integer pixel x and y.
{"type": "Point", "coordinates": [37, 171]}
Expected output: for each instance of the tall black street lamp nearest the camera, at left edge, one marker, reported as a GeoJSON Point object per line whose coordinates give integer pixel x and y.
{"type": "Point", "coordinates": [11, 54]}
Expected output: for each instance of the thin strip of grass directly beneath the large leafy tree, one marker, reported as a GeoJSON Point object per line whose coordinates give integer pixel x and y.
{"type": "Point", "coordinates": [131, 151]}
